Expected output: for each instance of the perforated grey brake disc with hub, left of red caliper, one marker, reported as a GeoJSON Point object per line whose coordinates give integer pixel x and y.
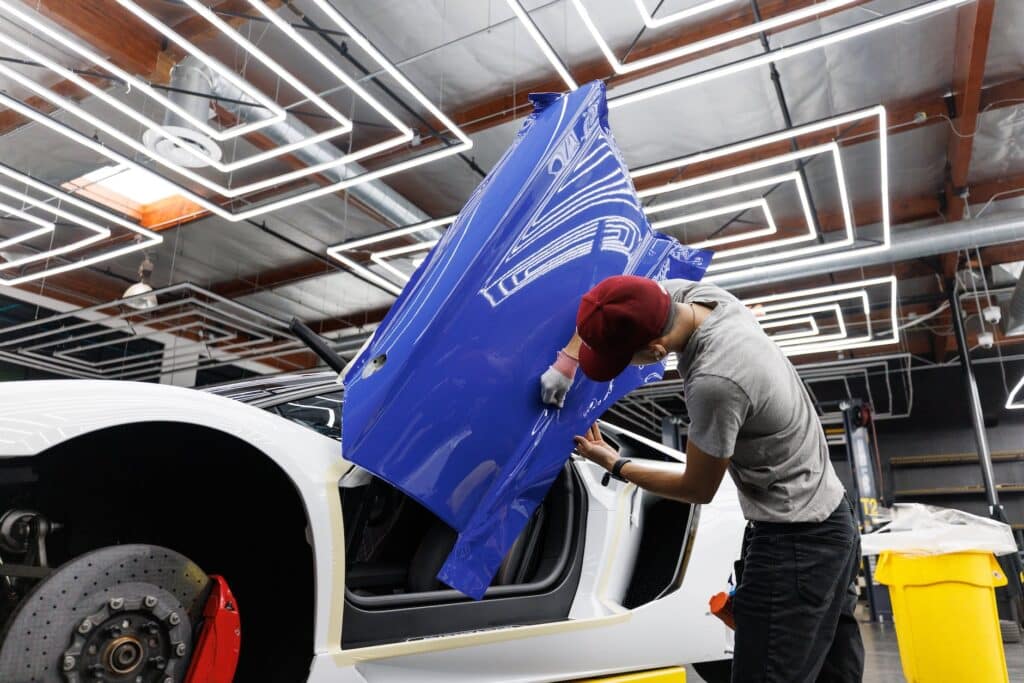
{"type": "Point", "coordinates": [131, 613]}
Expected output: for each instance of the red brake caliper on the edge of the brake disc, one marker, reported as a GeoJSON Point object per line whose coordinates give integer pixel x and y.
{"type": "Point", "coordinates": [217, 654]}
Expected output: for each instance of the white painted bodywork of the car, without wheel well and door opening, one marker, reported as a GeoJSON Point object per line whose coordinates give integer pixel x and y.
{"type": "Point", "coordinates": [673, 630]}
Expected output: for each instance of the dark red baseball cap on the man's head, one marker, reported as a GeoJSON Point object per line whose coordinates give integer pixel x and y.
{"type": "Point", "coordinates": [617, 319]}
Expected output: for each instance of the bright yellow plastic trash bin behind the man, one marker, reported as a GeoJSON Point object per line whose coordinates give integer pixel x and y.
{"type": "Point", "coordinates": [948, 626]}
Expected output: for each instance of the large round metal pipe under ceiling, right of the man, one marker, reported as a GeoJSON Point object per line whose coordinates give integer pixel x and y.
{"type": "Point", "coordinates": [906, 245]}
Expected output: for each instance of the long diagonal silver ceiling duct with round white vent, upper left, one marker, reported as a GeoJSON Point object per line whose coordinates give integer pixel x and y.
{"type": "Point", "coordinates": [192, 75]}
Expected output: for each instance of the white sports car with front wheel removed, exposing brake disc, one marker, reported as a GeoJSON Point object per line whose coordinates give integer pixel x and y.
{"type": "Point", "coordinates": [120, 500]}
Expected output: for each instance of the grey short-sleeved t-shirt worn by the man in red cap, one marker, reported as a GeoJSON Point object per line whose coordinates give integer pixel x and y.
{"type": "Point", "coordinates": [747, 403]}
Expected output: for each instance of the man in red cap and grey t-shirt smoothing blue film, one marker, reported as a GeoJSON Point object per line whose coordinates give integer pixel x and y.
{"type": "Point", "coordinates": [750, 414]}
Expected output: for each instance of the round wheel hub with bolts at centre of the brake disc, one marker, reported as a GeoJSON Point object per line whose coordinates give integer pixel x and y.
{"type": "Point", "coordinates": [142, 641]}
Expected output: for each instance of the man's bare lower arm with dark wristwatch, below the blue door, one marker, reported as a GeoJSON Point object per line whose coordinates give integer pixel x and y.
{"type": "Point", "coordinates": [698, 484]}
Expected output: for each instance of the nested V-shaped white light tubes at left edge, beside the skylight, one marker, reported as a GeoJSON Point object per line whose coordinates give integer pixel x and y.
{"type": "Point", "coordinates": [99, 233]}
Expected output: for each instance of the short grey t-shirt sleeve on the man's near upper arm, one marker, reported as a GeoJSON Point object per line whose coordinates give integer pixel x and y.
{"type": "Point", "coordinates": [718, 408]}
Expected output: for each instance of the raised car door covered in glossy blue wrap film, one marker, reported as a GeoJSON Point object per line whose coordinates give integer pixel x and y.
{"type": "Point", "coordinates": [453, 416]}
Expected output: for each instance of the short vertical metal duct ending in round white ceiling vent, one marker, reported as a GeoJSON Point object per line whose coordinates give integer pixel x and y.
{"type": "Point", "coordinates": [187, 78]}
